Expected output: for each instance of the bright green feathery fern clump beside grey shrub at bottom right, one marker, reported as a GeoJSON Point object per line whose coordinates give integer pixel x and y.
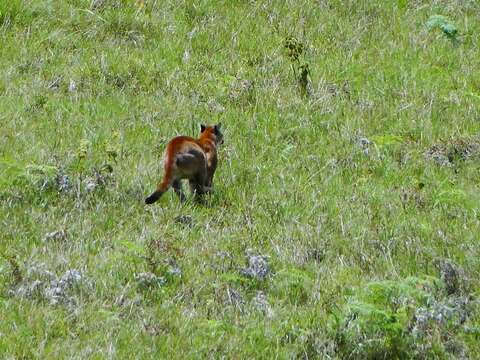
{"type": "Point", "coordinates": [376, 319]}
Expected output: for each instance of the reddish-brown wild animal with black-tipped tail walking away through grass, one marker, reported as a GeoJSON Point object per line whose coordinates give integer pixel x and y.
{"type": "Point", "coordinates": [189, 158]}
